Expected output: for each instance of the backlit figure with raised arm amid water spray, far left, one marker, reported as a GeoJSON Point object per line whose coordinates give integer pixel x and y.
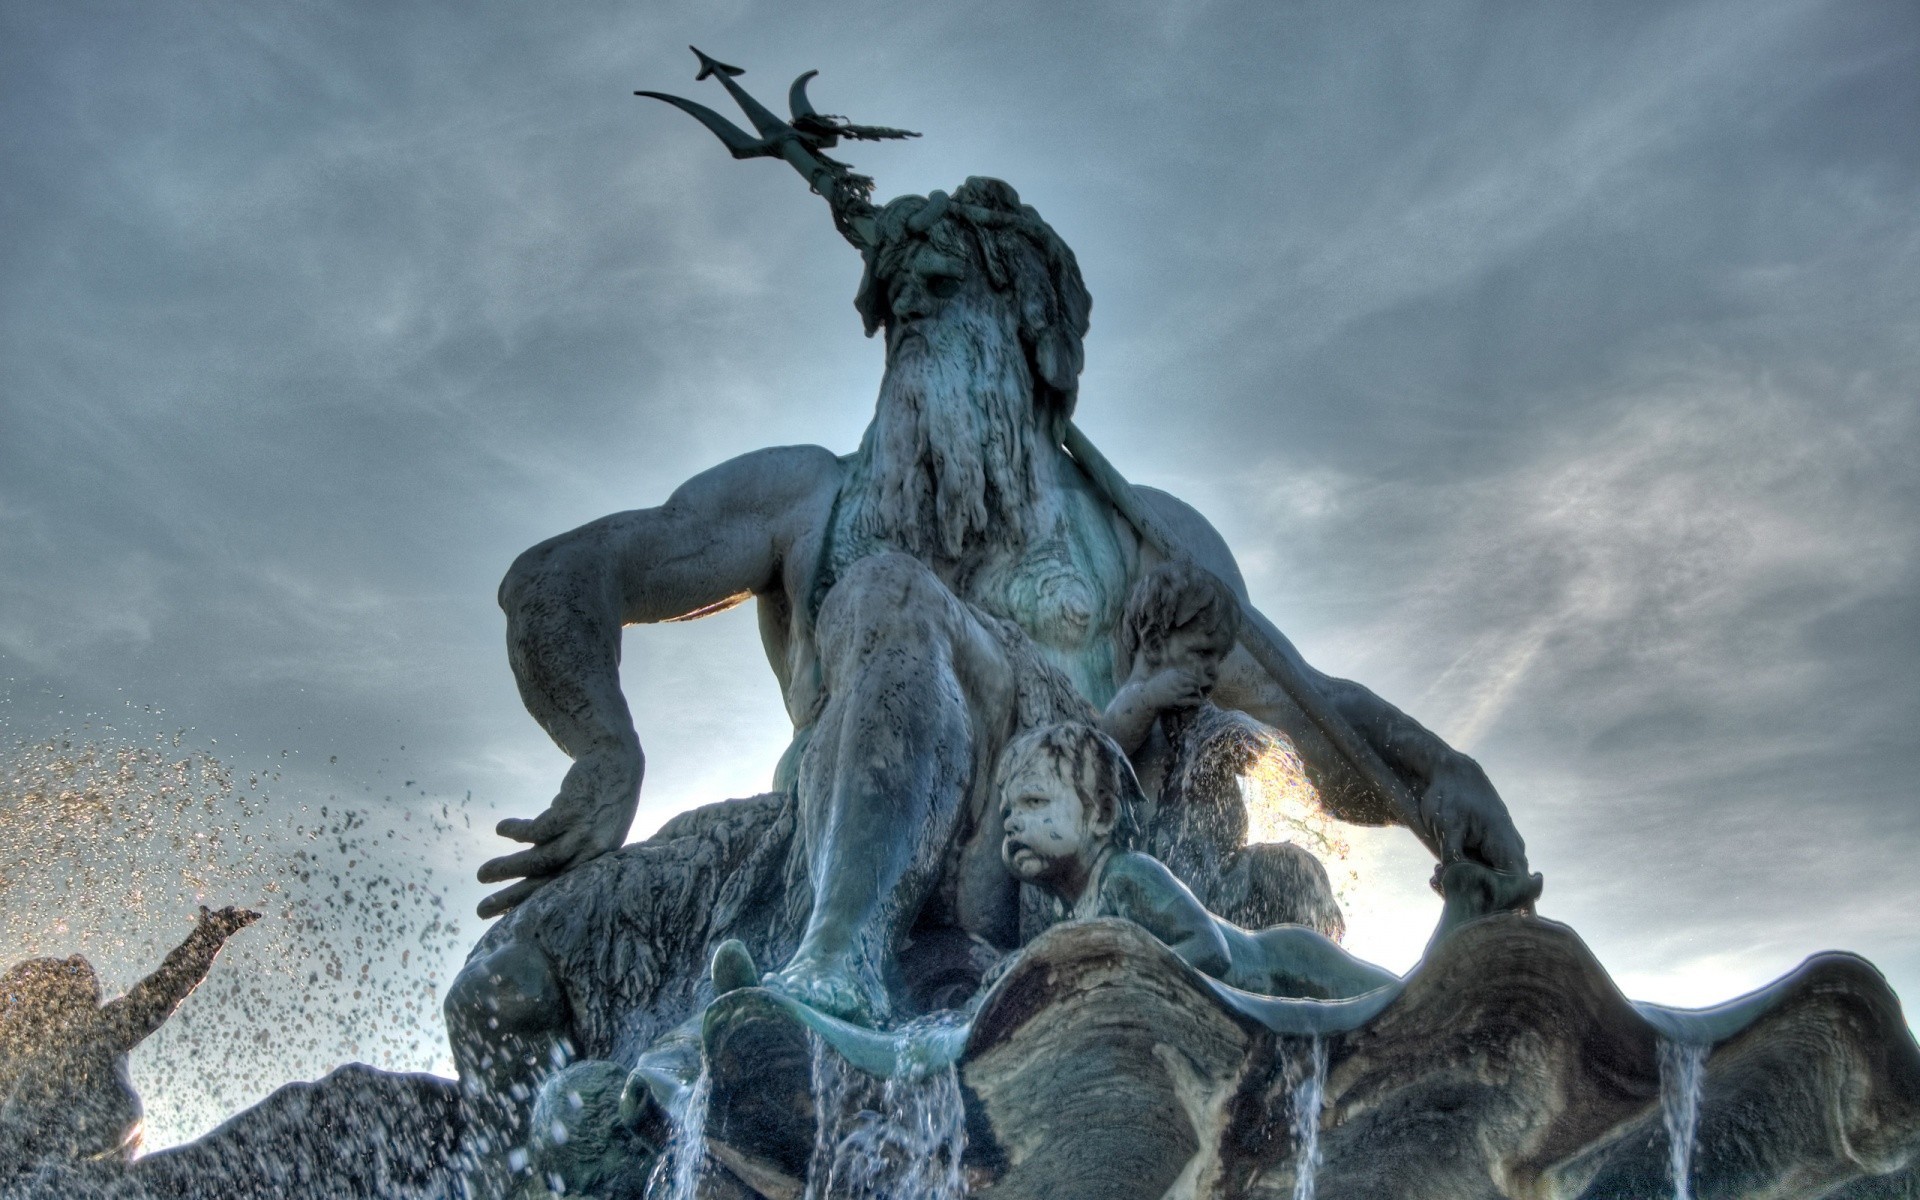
{"type": "Point", "coordinates": [64, 1086]}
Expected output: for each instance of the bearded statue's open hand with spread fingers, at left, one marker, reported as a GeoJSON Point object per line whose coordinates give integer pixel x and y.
{"type": "Point", "coordinates": [588, 819]}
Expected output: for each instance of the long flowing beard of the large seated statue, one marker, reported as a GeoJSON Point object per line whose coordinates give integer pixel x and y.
{"type": "Point", "coordinates": [949, 458]}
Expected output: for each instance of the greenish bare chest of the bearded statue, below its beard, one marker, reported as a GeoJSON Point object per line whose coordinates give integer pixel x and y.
{"type": "Point", "coordinates": [1067, 592]}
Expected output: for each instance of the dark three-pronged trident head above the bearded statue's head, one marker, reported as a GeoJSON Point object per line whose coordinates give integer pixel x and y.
{"type": "Point", "coordinates": [802, 143]}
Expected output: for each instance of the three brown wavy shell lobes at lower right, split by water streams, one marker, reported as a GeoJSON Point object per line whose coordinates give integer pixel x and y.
{"type": "Point", "coordinates": [1508, 1067]}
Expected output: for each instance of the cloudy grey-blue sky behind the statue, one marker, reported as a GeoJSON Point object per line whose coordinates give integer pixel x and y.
{"type": "Point", "coordinates": [1552, 370]}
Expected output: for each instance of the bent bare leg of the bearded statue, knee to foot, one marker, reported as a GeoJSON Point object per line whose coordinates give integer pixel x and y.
{"type": "Point", "coordinates": [919, 694]}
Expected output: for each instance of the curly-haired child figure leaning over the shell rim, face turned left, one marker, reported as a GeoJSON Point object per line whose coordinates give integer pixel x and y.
{"type": "Point", "coordinates": [1068, 802]}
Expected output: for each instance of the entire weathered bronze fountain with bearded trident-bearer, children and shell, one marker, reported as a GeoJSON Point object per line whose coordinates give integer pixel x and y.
{"type": "Point", "coordinates": [1020, 938]}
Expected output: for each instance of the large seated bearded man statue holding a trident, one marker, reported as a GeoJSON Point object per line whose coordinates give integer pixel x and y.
{"type": "Point", "coordinates": [924, 600]}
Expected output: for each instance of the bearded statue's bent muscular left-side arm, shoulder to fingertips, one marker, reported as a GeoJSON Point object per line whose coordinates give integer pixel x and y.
{"type": "Point", "coordinates": [721, 539]}
